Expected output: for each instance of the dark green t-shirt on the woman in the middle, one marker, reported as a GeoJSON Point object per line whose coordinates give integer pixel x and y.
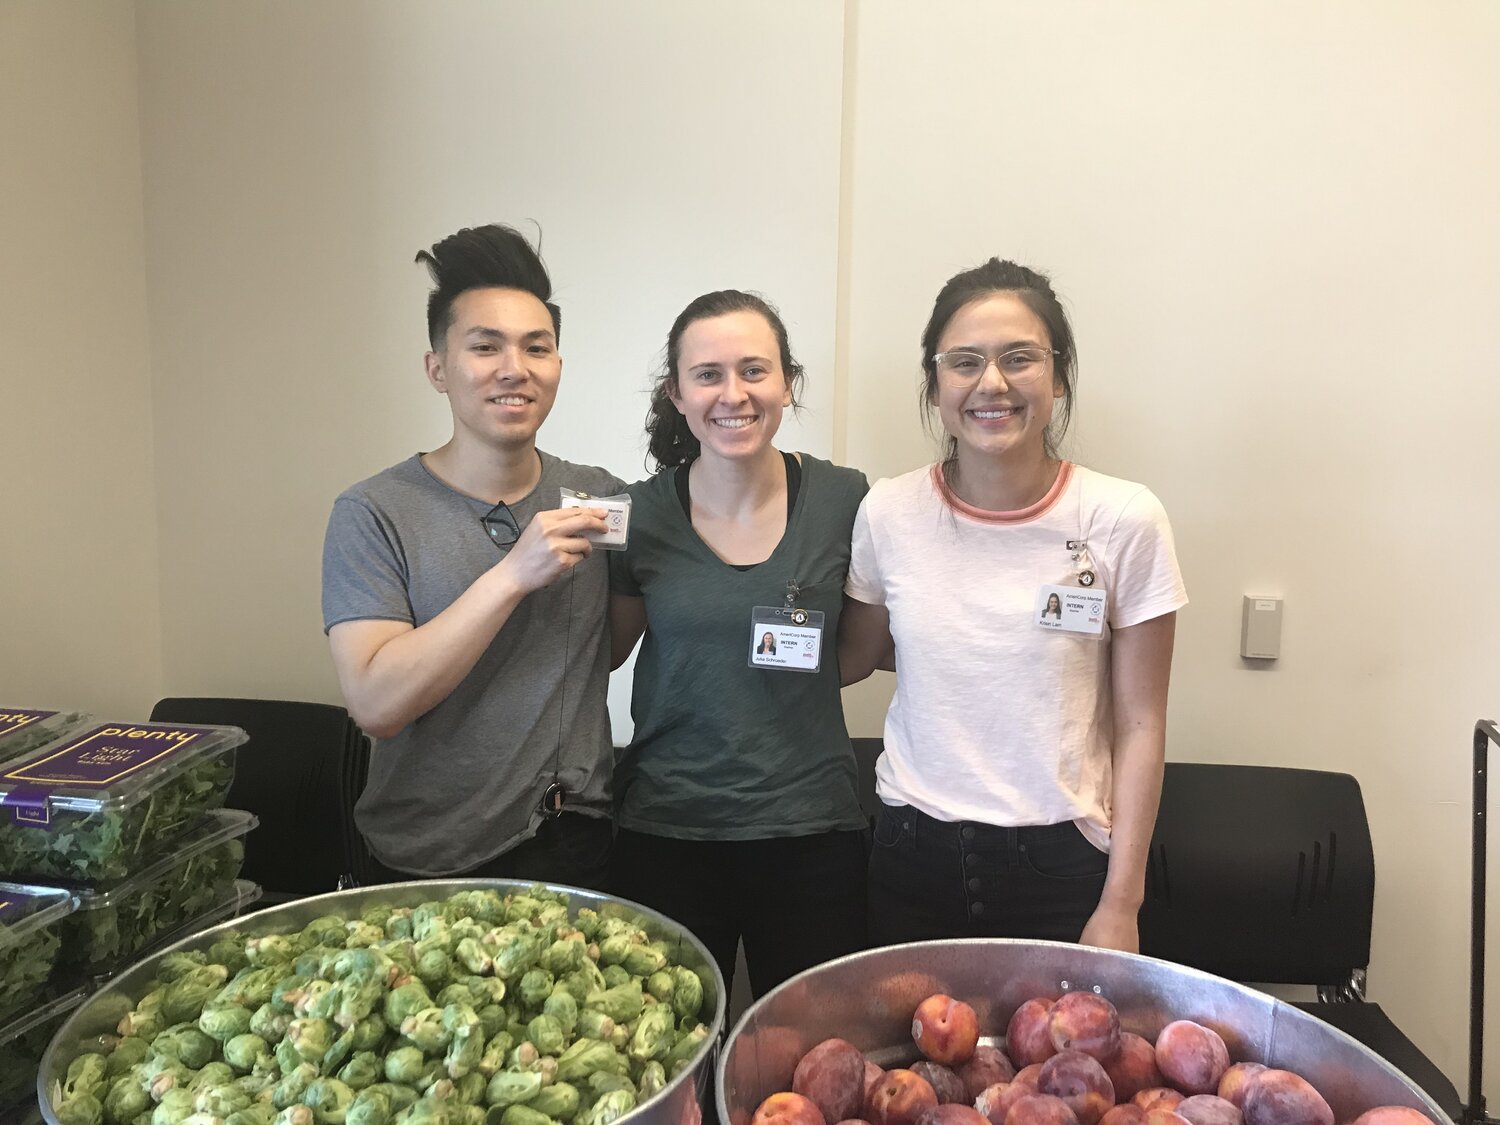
{"type": "Point", "coordinates": [724, 751]}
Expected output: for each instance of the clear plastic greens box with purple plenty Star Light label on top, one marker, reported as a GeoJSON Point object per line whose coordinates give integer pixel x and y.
{"type": "Point", "coordinates": [91, 808]}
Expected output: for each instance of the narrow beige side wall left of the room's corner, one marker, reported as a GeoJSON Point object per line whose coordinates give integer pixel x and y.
{"type": "Point", "coordinates": [79, 569]}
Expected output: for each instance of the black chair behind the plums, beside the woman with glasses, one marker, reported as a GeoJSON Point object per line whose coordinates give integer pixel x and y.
{"type": "Point", "coordinates": [1268, 875]}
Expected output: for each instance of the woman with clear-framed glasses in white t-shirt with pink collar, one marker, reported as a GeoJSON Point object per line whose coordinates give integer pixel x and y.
{"type": "Point", "coordinates": [1028, 610]}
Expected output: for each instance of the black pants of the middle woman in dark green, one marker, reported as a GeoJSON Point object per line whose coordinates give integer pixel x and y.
{"type": "Point", "coordinates": [796, 901]}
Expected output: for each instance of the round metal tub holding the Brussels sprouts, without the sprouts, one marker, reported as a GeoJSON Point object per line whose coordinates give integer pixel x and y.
{"type": "Point", "coordinates": [679, 1105]}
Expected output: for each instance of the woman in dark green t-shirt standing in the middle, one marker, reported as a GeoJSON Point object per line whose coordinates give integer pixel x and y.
{"type": "Point", "coordinates": [737, 806]}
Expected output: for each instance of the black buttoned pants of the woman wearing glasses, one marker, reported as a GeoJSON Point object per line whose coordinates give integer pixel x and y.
{"type": "Point", "coordinates": [962, 880]}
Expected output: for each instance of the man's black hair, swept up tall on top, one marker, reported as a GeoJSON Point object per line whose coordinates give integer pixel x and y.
{"type": "Point", "coordinates": [493, 257]}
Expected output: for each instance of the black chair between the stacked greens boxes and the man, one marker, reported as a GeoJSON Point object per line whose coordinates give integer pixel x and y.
{"type": "Point", "coordinates": [301, 773]}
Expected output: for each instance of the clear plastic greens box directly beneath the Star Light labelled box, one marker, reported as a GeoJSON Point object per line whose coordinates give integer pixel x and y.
{"type": "Point", "coordinates": [112, 928]}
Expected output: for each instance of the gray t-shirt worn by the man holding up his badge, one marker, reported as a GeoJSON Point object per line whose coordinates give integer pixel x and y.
{"type": "Point", "coordinates": [464, 782]}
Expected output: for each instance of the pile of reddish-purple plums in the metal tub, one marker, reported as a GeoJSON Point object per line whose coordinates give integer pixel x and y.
{"type": "Point", "coordinates": [1066, 1063]}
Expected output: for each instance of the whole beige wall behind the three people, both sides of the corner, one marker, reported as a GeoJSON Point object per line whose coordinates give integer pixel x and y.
{"type": "Point", "coordinates": [1274, 224]}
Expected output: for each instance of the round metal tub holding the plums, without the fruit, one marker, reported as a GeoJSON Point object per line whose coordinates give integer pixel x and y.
{"type": "Point", "coordinates": [869, 1000]}
